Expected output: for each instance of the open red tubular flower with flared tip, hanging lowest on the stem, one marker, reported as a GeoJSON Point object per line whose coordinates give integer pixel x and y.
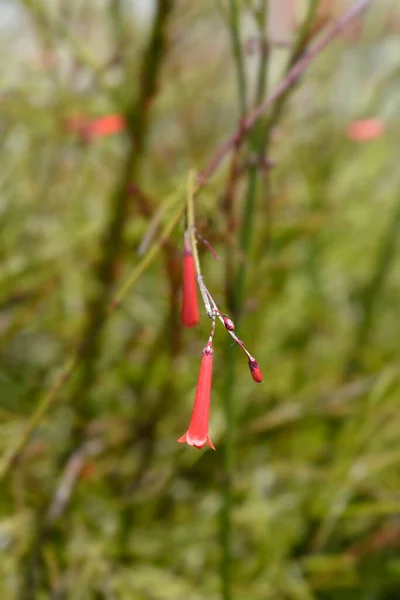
{"type": "Point", "coordinates": [197, 434]}
